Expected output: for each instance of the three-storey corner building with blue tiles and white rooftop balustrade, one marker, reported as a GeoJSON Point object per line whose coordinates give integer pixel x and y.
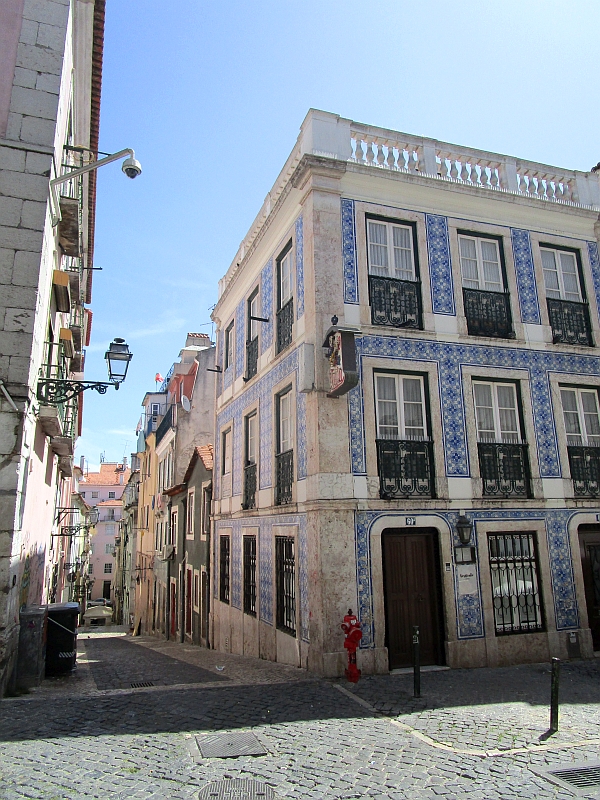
{"type": "Point", "coordinates": [407, 411]}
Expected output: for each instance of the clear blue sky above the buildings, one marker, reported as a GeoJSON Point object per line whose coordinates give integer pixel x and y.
{"type": "Point", "coordinates": [211, 97]}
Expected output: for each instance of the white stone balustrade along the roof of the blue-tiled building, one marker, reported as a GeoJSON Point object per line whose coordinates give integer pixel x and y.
{"type": "Point", "coordinates": [332, 137]}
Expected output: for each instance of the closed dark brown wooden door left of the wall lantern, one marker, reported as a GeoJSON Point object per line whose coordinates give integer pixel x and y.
{"type": "Point", "coordinates": [412, 595]}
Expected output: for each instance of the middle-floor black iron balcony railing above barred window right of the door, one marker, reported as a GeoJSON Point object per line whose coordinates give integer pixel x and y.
{"type": "Point", "coordinates": [504, 469]}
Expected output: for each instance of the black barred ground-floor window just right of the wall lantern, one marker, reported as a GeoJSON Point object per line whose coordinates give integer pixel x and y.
{"type": "Point", "coordinates": [515, 584]}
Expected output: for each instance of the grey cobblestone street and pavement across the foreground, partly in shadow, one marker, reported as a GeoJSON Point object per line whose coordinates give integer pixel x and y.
{"type": "Point", "coordinates": [476, 734]}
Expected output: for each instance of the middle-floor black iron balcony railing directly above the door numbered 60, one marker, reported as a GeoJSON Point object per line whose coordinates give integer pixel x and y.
{"type": "Point", "coordinates": [405, 468]}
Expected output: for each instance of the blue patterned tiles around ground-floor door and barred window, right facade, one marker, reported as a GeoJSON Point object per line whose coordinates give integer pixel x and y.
{"type": "Point", "coordinates": [469, 609]}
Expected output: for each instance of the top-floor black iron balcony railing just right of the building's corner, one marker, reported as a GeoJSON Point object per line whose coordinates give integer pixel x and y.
{"type": "Point", "coordinates": [395, 303]}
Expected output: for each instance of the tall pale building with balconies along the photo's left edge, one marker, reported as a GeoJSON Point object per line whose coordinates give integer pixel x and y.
{"type": "Point", "coordinates": [50, 76]}
